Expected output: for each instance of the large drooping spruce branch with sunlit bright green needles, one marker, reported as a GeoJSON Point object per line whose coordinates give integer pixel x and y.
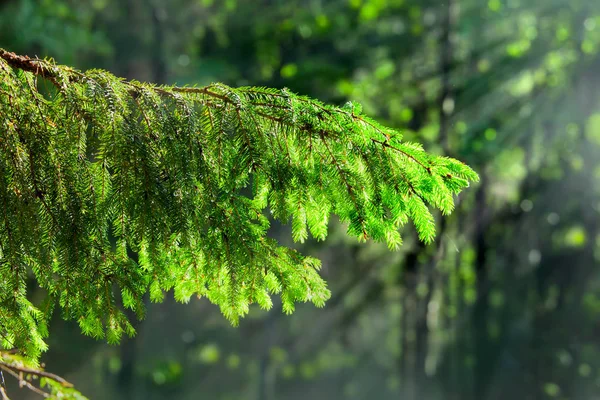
{"type": "Point", "coordinates": [111, 189]}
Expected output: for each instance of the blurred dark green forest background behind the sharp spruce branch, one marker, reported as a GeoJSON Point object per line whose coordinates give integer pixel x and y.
{"type": "Point", "coordinates": [505, 303]}
